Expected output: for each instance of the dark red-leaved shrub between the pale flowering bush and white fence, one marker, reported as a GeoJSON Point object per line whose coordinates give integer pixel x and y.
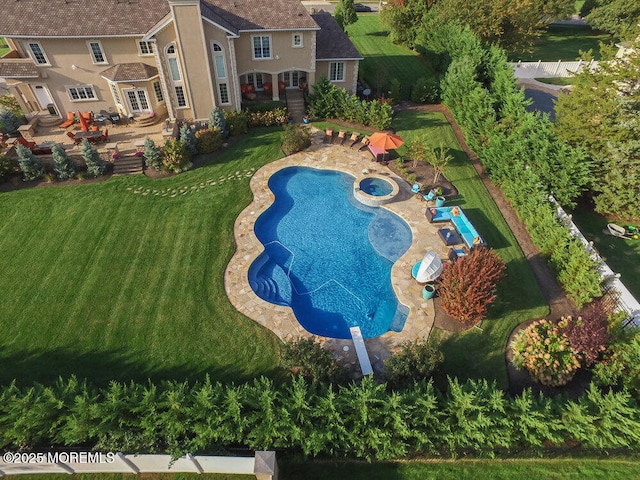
{"type": "Point", "coordinates": [588, 334]}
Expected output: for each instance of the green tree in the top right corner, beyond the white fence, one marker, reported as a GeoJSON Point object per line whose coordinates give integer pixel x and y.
{"type": "Point", "coordinates": [618, 17]}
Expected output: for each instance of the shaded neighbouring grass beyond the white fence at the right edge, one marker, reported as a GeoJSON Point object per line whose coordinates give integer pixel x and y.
{"type": "Point", "coordinates": [620, 254]}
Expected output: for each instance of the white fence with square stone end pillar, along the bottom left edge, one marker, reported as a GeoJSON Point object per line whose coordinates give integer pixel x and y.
{"type": "Point", "coordinates": [263, 464]}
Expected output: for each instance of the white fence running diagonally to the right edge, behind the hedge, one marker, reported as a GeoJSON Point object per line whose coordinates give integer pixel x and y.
{"type": "Point", "coordinates": [626, 301]}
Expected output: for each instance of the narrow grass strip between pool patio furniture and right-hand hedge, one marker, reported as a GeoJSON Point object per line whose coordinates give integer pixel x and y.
{"type": "Point", "coordinates": [479, 353]}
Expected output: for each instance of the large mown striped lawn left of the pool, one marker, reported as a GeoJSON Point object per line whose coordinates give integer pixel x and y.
{"type": "Point", "coordinates": [106, 283]}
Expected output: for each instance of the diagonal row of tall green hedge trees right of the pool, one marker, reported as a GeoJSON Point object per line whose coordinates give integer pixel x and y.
{"type": "Point", "coordinates": [522, 155]}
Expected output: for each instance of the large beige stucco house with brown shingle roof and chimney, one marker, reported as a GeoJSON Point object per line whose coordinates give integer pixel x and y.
{"type": "Point", "coordinates": [179, 58]}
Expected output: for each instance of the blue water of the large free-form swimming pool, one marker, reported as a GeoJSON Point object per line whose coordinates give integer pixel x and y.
{"type": "Point", "coordinates": [327, 256]}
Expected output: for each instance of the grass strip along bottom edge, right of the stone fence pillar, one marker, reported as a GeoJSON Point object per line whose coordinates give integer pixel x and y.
{"type": "Point", "coordinates": [557, 469]}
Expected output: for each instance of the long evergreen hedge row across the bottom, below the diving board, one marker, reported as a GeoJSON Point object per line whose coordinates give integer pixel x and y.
{"type": "Point", "coordinates": [362, 421]}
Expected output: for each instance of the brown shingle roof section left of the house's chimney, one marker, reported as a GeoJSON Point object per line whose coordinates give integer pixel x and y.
{"type": "Point", "coordinates": [80, 18]}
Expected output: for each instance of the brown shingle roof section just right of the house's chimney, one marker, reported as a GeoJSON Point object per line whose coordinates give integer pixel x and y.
{"type": "Point", "coordinates": [255, 15]}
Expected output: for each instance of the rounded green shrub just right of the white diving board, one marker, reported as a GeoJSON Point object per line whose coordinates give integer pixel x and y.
{"type": "Point", "coordinates": [414, 361]}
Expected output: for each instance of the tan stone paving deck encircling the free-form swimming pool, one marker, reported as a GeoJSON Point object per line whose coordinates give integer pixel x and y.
{"type": "Point", "coordinates": [281, 320]}
